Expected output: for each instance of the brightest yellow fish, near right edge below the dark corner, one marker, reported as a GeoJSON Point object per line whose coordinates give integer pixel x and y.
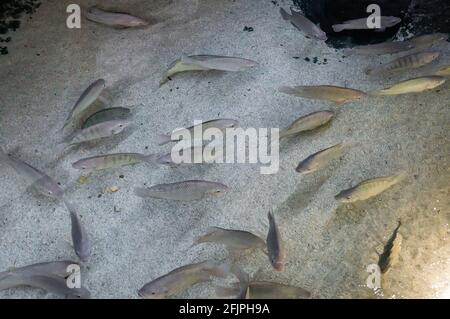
{"type": "Point", "coordinates": [416, 85]}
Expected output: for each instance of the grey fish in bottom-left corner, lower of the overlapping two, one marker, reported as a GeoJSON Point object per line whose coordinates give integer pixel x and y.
{"type": "Point", "coordinates": [53, 284]}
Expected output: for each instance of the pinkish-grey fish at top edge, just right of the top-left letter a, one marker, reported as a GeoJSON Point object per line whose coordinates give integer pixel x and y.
{"type": "Point", "coordinates": [115, 19]}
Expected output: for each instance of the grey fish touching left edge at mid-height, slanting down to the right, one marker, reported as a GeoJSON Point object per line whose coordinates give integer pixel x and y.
{"type": "Point", "coordinates": [40, 181]}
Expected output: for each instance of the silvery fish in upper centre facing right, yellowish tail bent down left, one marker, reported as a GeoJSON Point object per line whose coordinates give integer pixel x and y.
{"type": "Point", "coordinates": [207, 62]}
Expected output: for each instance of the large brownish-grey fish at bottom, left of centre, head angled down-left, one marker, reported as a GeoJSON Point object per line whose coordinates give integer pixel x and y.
{"type": "Point", "coordinates": [183, 278]}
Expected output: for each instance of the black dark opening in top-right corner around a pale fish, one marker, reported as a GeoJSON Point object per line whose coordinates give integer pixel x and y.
{"type": "Point", "coordinates": [418, 17]}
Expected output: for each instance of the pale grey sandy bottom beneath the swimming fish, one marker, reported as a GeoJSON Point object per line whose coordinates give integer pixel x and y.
{"type": "Point", "coordinates": [328, 245]}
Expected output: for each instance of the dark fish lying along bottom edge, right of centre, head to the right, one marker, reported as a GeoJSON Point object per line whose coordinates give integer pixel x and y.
{"type": "Point", "coordinates": [266, 290]}
